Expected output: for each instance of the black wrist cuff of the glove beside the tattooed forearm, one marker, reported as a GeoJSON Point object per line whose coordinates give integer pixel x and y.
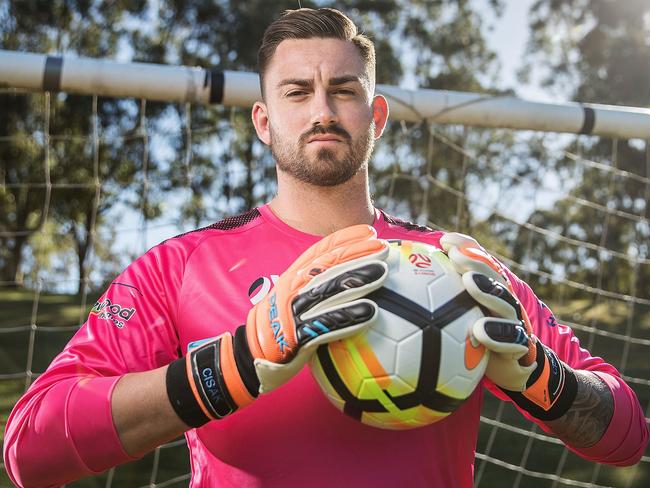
{"type": "Point", "coordinates": [562, 386]}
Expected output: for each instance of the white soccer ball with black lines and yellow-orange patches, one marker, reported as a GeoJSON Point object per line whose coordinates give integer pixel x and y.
{"type": "Point", "coordinates": [416, 364]}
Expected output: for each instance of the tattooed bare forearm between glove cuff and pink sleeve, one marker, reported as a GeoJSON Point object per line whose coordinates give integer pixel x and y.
{"type": "Point", "coordinates": [586, 421]}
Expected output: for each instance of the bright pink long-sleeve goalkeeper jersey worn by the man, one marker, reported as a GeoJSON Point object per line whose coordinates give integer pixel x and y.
{"type": "Point", "coordinates": [203, 283]}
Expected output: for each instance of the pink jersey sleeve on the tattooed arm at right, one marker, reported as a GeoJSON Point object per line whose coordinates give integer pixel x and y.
{"type": "Point", "coordinates": [626, 437]}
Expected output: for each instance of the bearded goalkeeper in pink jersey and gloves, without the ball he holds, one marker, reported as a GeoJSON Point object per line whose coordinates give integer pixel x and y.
{"type": "Point", "coordinates": [208, 333]}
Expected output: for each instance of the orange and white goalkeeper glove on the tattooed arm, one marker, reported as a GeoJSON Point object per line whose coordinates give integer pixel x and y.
{"type": "Point", "coordinates": [529, 372]}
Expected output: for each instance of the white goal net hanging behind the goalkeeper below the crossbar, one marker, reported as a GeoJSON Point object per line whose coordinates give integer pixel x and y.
{"type": "Point", "coordinates": [88, 183]}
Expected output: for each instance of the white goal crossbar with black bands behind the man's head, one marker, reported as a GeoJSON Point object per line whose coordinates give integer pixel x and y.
{"type": "Point", "coordinates": [230, 88]}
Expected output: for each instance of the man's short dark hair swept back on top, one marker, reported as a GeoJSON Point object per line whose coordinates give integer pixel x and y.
{"type": "Point", "coordinates": [307, 23]}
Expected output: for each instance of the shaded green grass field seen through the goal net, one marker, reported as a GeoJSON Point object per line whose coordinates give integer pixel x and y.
{"type": "Point", "coordinates": [58, 316]}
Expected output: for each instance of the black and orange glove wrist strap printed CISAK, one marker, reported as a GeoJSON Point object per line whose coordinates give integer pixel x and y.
{"type": "Point", "coordinates": [215, 379]}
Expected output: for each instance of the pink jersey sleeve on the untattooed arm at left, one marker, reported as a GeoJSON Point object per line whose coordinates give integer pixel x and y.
{"type": "Point", "coordinates": [66, 412]}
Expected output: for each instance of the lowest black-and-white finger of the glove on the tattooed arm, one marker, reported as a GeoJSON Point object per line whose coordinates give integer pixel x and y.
{"type": "Point", "coordinates": [501, 336]}
